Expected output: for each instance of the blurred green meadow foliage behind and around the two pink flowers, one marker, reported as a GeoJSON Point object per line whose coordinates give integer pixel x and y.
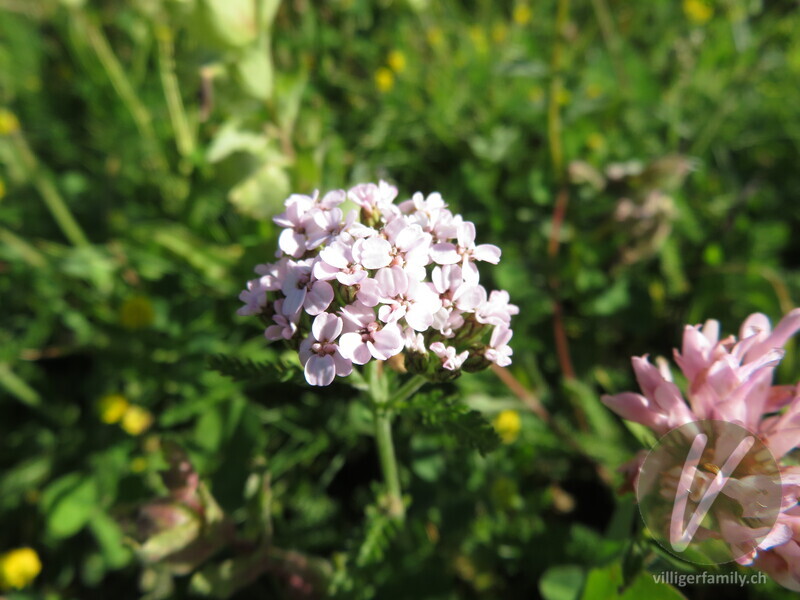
{"type": "Point", "coordinates": [144, 147]}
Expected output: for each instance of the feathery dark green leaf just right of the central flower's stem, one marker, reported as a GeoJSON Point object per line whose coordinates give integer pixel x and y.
{"type": "Point", "coordinates": [468, 427]}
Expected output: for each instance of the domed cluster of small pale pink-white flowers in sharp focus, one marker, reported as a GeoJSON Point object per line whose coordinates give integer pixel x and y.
{"type": "Point", "coordinates": [379, 280]}
